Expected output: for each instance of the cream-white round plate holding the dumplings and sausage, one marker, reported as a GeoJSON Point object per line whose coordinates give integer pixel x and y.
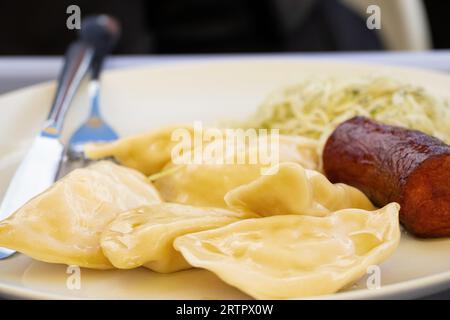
{"type": "Point", "coordinates": [136, 100]}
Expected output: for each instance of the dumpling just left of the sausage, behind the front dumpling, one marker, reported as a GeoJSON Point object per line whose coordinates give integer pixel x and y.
{"type": "Point", "coordinates": [291, 189]}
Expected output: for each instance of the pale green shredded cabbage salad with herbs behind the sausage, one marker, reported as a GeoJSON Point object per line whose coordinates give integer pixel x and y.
{"type": "Point", "coordinates": [313, 108]}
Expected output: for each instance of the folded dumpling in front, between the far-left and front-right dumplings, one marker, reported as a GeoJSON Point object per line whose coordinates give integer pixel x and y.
{"type": "Point", "coordinates": [144, 236]}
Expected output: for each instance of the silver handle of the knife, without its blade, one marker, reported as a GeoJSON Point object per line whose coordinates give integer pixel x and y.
{"type": "Point", "coordinates": [77, 61]}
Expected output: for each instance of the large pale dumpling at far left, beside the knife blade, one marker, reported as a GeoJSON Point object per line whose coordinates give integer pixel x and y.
{"type": "Point", "coordinates": [64, 223]}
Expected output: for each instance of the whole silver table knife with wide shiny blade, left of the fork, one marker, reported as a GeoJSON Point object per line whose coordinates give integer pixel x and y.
{"type": "Point", "coordinates": [39, 168]}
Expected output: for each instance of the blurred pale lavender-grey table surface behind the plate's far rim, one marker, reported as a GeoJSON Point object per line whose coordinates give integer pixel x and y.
{"type": "Point", "coordinates": [18, 72]}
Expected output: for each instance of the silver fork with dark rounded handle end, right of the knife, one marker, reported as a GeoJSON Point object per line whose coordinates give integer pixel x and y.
{"type": "Point", "coordinates": [103, 32]}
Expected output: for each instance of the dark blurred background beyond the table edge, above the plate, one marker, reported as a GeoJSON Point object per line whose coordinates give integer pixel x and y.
{"type": "Point", "coordinates": [230, 26]}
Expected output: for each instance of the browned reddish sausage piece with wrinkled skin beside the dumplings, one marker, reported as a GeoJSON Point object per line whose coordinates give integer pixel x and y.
{"type": "Point", "coordinates": [391, 164]}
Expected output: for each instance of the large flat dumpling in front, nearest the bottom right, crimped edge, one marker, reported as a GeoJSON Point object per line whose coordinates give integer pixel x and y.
{"type": "Point", "coordinates": [293, 256]}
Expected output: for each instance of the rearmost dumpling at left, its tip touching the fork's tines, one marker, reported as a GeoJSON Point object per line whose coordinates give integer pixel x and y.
{"type": "Point", "coordinates": [147, 153]}
